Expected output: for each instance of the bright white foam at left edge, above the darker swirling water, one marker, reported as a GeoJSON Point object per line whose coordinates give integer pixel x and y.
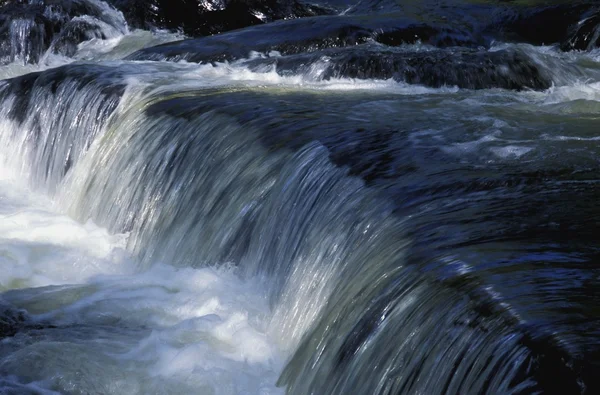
{"type": "Point", "coordinates": [39, 247]}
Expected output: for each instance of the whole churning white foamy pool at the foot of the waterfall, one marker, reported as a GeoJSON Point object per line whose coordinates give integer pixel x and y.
{"type": "Point", "coordinates": [171, 330]}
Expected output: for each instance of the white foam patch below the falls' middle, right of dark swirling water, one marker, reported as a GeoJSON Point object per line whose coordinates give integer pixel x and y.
{"type": "Point", "coordinates": [203, 321]}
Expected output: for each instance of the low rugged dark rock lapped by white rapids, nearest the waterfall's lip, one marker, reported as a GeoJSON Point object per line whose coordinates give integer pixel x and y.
{"type": "Point", "coordinates": [464, 68]}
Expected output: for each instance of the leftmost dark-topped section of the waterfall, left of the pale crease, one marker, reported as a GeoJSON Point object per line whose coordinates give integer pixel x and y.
{"type": "Point", "coordinates": [52, 118]}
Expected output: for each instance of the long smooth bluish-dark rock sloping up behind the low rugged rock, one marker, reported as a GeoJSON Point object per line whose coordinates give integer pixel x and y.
{"type": "Point", "coordinates": [307, 35]}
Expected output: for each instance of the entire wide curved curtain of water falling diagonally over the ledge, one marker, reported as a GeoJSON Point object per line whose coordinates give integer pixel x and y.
{"type": "Point", "coordinates": [195, 186]}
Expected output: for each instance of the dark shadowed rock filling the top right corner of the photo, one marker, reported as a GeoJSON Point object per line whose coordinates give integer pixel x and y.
{"type": "Point", "coordinates": [571, 23]}
